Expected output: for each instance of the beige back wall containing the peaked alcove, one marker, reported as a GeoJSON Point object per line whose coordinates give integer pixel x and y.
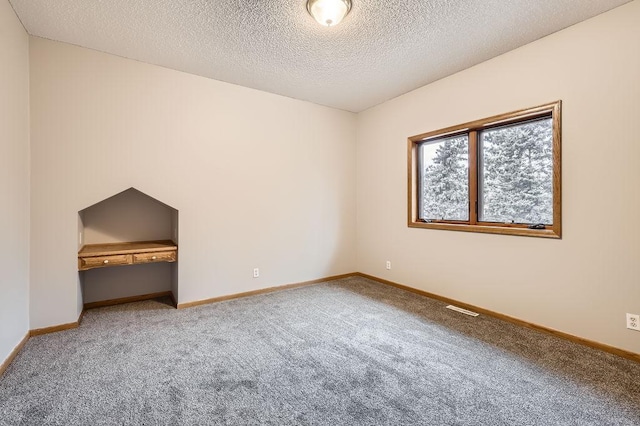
{"type": "Point", "coordinates": [259, 180]}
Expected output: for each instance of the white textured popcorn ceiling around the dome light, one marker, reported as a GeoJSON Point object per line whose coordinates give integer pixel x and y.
{"type": "Point", "coordinates": [381, 50]}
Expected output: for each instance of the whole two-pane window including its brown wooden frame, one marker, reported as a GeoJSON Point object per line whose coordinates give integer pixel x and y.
{"type": "Point", "coordinates": [497, 175]}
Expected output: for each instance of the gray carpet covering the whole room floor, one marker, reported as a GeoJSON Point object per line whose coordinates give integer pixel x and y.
{"type": "Point", "coordinates": [348, 352]}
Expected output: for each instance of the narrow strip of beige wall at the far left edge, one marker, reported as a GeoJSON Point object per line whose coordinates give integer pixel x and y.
{"type": "Point", "coordinates": [14, 180]}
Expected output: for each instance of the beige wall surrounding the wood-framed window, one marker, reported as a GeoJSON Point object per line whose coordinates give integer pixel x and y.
{"type": "Point", "coordinates": [586, 282]}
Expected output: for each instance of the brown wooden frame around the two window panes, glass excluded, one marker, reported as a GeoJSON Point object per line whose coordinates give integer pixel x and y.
{"type": "Point", "coordinates": [472, 129]}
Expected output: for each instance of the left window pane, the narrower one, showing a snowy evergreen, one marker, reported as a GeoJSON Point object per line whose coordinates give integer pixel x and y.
{"type": "Point", "coordinates": [444, 179]}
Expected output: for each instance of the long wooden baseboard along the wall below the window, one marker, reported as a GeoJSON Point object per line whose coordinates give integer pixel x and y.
{"type": "Point", "coordinates": [586, 342]}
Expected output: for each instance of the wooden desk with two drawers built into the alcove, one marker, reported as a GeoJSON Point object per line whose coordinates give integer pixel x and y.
{"type": "Point", "coordinates": [130, 253]}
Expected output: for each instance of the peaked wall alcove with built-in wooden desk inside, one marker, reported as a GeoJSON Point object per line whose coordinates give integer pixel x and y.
{"type": "Point", "coordinates": [127, 249]}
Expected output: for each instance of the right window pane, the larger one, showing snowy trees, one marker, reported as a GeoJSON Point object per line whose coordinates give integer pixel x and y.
{"type": "Point", "coordinates": [516, 181]}
